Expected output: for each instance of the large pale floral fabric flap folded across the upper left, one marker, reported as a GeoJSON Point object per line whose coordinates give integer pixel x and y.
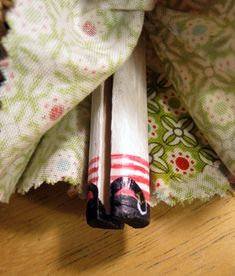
{"type": "Point", "coordinates": [56, 50]}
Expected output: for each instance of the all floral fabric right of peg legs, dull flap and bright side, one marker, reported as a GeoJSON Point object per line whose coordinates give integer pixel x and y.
{"type": "Point", "coordinates": [195, 112]}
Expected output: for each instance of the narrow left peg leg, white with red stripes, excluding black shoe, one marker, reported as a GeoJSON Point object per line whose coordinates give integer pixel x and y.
{"type": "Point", "coordinates": [99, 148]}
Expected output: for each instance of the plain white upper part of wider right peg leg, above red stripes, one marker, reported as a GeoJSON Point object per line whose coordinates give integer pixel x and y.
{"type": "Point", "coordinates": [129, 106]}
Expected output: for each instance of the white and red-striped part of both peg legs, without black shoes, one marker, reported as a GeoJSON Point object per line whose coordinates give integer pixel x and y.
{"type": "Point", "coordinates": [126, 130]}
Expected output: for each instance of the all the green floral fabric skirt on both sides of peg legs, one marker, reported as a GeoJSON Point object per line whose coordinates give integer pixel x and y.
{"type": "Point", "coordinates": [60, 51]}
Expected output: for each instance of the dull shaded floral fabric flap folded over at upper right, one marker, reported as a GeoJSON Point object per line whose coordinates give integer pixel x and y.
{"type": "Point", "coordinates": [198, 55]}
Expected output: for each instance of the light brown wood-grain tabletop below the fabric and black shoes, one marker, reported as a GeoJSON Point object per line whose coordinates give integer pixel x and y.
{"type": "Point", "coordinates": [45, 233]}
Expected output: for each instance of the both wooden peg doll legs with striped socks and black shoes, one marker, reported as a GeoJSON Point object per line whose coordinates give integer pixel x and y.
{"type": "Point", "coordinates": [118, 176]}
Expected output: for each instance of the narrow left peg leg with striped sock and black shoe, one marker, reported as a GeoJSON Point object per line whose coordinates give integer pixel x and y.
{"type": "Point", "coordinates": [98, 206]}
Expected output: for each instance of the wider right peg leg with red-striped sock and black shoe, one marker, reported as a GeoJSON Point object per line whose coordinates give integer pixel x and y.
{"type": "Point", "coordinates": [129, 148]}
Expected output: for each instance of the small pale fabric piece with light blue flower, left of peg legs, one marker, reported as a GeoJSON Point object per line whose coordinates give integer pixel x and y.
{"type": "Point", "coordinates": [61, 155]}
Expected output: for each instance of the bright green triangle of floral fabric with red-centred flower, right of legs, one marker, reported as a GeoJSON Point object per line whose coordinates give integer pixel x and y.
{"type": "Point", "coordinates": [183, 166]}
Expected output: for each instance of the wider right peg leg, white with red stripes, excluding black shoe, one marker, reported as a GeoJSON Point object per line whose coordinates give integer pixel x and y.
{"type": "Point", "coordinates": [129, 120]}
